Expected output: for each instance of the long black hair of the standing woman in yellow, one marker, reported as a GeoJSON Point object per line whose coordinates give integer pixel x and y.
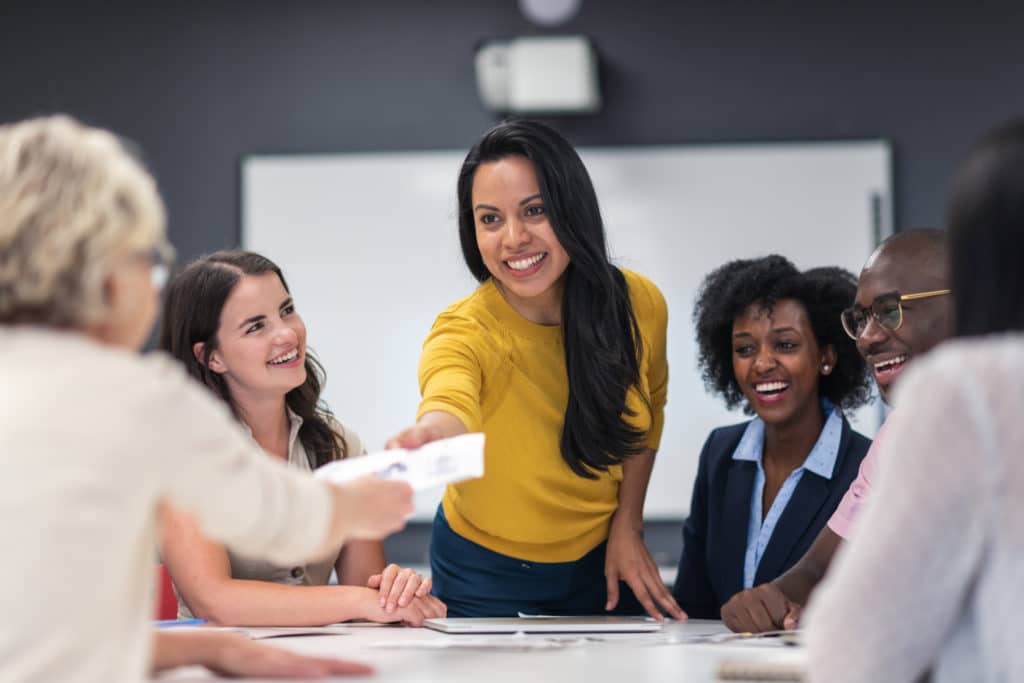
{"type": "Point", "coordinates": [602, 336]}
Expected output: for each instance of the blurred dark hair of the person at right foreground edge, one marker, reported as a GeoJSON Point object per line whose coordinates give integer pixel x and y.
{"type": "Point", "coordinates": [987, 224]}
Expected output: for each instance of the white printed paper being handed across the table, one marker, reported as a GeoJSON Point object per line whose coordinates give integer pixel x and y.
{"type": "Point", "coordinates": [435, 464]}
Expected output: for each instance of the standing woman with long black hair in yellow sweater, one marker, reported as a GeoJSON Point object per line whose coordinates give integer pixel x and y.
{"type": "Point", "coordinates": [560, 358]}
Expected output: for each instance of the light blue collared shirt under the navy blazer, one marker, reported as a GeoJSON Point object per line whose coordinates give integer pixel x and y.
{"type": "Point", "coordinates": [821, 461]}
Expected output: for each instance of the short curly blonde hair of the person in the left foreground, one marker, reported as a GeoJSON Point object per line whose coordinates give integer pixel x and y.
{"type": "Point", "coordinates": [73, 200]}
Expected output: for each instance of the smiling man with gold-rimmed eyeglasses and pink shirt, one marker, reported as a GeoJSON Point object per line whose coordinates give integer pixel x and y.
{"type": "Point", "coordinates": [903, 310]}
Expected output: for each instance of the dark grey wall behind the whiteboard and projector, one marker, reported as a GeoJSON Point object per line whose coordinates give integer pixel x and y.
{"type": "Point", "coordinates": [201, 84]}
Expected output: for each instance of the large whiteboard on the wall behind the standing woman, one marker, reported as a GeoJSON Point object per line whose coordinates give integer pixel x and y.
{"type": "Point", "coordinates": [369, 245]}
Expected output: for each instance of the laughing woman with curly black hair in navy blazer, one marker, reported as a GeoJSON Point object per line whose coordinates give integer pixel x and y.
{"type": "Point", "coordinates": [771, 339]}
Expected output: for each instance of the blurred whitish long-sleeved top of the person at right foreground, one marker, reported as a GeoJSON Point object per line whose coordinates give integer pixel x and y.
{"type": "Point", "coordinates": [931, 579]}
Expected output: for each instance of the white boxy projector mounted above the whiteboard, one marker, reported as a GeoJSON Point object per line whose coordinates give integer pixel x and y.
{"type": "Point", "coordinates": [539, 75]}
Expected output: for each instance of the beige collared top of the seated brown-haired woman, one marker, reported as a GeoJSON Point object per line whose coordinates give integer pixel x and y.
{"type": "Point", "coordinates": [311, 574]}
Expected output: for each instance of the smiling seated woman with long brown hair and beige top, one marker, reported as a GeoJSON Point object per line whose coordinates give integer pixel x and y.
{"type": "Point", "coordinates": [231, 320]}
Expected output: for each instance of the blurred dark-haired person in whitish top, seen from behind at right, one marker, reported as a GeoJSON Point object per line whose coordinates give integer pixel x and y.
{"type": "Point", "coordinates": [929, 586]}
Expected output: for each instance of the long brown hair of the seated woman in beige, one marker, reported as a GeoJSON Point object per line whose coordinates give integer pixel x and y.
{"type": "Point", "coordinates": [195, 301]}
